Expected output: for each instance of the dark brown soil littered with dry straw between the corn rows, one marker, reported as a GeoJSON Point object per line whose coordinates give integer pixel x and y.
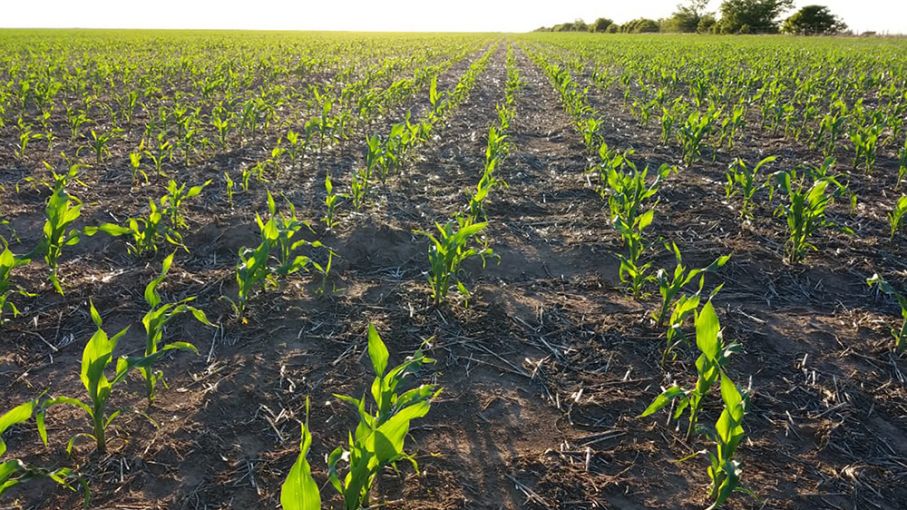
{"type": "Point", "coordinates": [545, 372]}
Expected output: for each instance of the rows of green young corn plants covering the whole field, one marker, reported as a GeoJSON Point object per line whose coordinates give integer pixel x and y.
{"type": "Point", "coordinates": [133, 143]}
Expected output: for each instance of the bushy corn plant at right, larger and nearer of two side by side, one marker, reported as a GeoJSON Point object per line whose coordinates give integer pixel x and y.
{"type": "Point", "coordinates": [804, 212]}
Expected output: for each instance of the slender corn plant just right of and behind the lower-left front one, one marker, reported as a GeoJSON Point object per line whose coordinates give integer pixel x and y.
{"type": "Point", "coordinates": [155, 322]}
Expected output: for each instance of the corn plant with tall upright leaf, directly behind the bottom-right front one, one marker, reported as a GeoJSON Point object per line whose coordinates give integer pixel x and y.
{"type": "Point", "coordinates": [709, 366]}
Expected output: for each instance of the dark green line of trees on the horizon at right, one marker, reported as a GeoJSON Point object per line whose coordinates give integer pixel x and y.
{"type": "Point", "coordinates": [733, 17]}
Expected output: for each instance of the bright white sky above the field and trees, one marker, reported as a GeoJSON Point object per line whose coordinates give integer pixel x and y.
{"type": "Point", "coordinates": [884, 16]}
